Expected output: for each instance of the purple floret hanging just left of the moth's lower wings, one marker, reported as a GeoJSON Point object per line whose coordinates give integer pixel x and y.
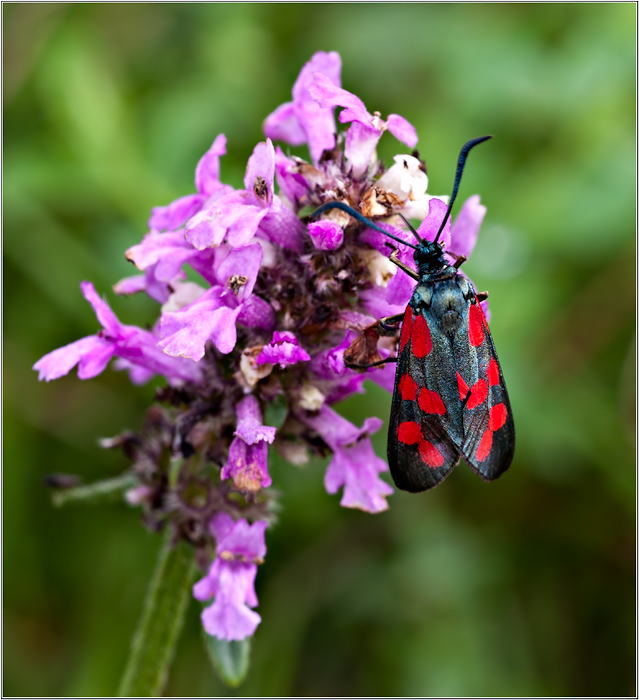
{"type": "Point", "coordinates": [355, 466]}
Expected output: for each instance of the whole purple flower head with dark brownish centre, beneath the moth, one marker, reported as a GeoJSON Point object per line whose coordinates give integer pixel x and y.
{"type": "Point", "coordinates": [282, 308]}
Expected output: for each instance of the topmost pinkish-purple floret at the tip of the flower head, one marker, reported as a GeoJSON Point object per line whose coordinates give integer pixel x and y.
{"type": "Point", "coordinates": [303, 120]}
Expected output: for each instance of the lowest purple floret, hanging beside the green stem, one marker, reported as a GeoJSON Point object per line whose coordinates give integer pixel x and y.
{"type": "Point", "coordinates": [231, 579]}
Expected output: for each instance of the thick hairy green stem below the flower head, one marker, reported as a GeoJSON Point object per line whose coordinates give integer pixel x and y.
{"type": "Point", "coordinates": [154, 641]}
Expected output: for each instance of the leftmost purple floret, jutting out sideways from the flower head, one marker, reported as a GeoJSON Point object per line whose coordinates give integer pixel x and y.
{"type": "Point", "coordinates": [133, 344]}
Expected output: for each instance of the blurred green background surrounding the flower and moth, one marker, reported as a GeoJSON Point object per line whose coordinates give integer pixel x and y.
{"type": "Point", "coordinates": [522, 587]}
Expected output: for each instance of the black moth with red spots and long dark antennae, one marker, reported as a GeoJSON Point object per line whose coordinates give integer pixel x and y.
{"type": "Point", "coordinates": [450, 399]}
